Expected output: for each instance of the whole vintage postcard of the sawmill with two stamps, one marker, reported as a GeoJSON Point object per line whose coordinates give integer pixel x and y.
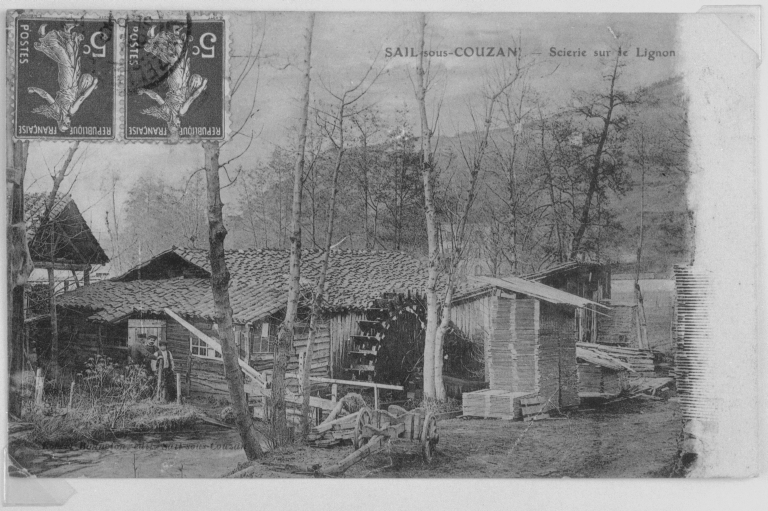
{"type": "Point", "coordinates": [499, 245]}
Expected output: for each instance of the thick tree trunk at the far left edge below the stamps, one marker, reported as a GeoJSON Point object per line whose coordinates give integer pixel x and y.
{"type": "Point", "coordinates": [19, 268]}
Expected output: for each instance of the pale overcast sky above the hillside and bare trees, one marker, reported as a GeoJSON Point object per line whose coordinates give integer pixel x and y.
{"type": "Point", "coordinates": [344, 46]}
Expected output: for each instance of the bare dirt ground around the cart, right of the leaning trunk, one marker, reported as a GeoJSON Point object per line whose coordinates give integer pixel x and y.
{"type": "Point", "coordinates": [635, 438]}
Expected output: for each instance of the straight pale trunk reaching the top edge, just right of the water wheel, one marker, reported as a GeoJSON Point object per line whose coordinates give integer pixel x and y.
{"type": "Point", "coordinates": [427, 173]}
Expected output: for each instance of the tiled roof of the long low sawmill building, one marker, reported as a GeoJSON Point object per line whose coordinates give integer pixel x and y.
{"type": "Point", "coordinates": [258, 286]}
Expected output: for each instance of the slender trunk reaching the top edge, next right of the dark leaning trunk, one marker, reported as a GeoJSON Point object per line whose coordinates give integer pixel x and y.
{"type": "Point", "coordinates": [285, 338]}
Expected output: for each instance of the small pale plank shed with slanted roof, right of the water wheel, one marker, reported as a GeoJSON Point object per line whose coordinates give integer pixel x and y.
{"type": "Point", "coordinates": [529, 333]}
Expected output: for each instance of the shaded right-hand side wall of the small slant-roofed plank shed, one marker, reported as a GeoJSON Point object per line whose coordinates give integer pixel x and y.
{"type": "Point", "coordinates": [558, 375]}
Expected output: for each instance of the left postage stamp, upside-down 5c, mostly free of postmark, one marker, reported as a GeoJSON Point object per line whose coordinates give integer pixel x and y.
{"type": "Point", "coordinates": [65, 76]}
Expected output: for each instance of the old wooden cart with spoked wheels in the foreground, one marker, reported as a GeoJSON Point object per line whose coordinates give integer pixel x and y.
{"type": "Point", "coordinates": [370, 430]}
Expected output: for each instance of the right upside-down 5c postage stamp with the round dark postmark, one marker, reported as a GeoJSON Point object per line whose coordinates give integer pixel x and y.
{"type": "Point", "coordinates": [174, 79]}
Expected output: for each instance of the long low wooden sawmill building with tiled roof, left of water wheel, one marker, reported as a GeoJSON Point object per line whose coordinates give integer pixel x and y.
{"type": "Point", "coordinates": [111, 315]}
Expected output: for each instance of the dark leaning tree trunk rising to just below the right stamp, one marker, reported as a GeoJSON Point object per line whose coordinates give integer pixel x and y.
{"type": "Point", "coordinates": [249, 435]}
